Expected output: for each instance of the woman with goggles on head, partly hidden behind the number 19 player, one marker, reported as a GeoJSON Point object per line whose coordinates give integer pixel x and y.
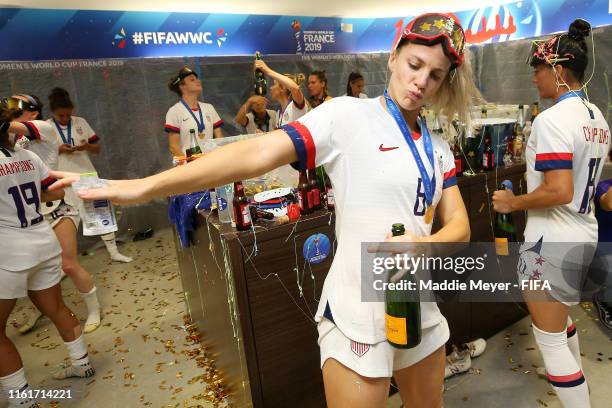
{"type": "Point", "coordinates": [41, 139]}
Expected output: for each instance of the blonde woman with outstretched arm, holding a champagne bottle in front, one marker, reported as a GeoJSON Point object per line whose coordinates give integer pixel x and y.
{"type": "Point", "coordinates": [365, 147]}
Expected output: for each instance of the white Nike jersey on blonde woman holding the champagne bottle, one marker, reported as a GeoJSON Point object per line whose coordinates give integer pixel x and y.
{"type": "Point", "coordinates": [376, 184]}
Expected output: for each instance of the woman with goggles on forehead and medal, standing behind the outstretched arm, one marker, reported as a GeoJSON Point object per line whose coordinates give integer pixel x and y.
{"type": "Point", "coordinates": [189, 115]}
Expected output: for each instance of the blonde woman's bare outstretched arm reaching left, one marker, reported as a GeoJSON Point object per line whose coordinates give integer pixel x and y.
{"type": "Point", "coordinates": [236, 161]}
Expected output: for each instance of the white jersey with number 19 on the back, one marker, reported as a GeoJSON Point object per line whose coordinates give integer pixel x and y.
{"type": "Point", "coordinates": [27, 240]}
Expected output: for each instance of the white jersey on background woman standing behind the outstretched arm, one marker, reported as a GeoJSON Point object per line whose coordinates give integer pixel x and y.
{"type": "Point", "coordinates": [180, 120]}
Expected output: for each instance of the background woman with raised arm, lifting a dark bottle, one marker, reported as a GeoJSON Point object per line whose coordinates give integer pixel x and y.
{"type": "Point", "coordinates": [286, 91]}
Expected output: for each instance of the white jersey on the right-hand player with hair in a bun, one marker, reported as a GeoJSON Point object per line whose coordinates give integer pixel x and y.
{"type": "Point", "coordinates": [566, 137]}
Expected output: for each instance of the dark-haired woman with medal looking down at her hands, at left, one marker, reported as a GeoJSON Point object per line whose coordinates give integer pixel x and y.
{"type": "Point", "coordinates": [77, 141]}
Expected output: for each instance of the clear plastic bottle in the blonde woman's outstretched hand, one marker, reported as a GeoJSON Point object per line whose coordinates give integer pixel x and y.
{"type": "Point", "coordinates": [97, 215]}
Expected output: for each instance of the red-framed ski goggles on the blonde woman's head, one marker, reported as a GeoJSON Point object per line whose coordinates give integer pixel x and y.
{"type": "Point", "coordinates": [434, 28]}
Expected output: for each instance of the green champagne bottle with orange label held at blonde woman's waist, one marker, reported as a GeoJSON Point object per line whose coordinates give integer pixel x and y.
{"type": "Point", "coordinates": [402, 317]}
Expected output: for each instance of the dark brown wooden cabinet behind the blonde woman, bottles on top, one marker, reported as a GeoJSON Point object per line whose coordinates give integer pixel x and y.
{"type": "Point", "coordinates": [257, 323]}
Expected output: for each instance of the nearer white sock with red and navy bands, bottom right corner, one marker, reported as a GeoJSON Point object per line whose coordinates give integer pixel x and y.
{"type": "Point", "coordinates": [562, 369]}
